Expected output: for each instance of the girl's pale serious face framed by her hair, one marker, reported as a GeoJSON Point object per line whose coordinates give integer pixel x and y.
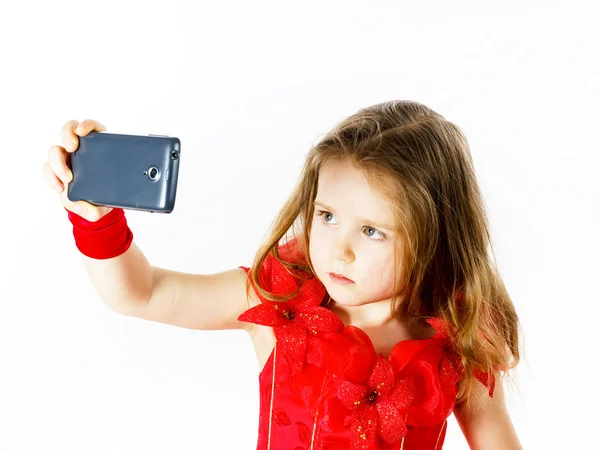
{"type": "Point", "coordinates": [352, 235]}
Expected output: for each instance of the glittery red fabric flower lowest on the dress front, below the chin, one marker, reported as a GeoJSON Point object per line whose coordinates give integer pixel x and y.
{"type": "Point", "coordinates": [379, 407]}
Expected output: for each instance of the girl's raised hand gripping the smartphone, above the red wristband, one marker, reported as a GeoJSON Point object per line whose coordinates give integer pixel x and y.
{"type": "Point", "coordinates": [58, 174]}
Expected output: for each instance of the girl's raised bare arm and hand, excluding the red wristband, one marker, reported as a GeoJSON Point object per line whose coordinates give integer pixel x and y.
{"type": "Point", "coordinates": [129, 285]}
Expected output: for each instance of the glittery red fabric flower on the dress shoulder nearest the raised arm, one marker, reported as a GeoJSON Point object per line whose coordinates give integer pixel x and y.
{"type": "Point", "coordinates": [294, 319]}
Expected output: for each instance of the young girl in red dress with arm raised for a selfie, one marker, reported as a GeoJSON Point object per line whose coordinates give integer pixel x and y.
{"type": "Point", "coordinates": [373, 306]}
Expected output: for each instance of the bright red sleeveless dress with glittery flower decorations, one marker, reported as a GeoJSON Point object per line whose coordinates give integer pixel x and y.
{"type": "Point", "coordinates": [324, 387]}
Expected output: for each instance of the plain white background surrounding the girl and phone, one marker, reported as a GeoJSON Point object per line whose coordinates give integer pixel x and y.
{"type": "Point", "coordinates": [248, 87]}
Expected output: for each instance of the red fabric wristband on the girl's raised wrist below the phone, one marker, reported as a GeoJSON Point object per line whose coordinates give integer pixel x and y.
{"type": "Point", "coordinates": [106, 238]}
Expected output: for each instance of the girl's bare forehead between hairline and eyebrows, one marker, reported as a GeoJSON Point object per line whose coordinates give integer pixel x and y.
{"type": "Point", "coordinates": [345, 187]}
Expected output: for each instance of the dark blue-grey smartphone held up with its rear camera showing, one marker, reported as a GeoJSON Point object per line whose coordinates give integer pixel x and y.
{"type": "Point", "coordinates": [126, 171]}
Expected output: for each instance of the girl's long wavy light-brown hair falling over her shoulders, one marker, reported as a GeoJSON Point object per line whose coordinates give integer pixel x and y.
{"type": "Point", "coordinates": [422, 164]}
